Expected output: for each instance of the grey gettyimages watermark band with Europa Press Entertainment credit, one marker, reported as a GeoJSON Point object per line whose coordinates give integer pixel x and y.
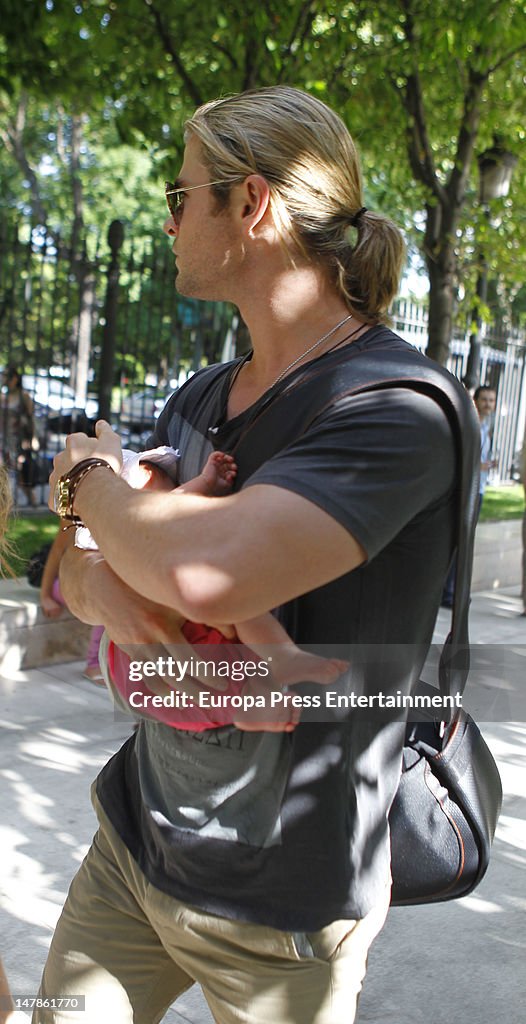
{"type": "Point", "coordinates": [378, 680]}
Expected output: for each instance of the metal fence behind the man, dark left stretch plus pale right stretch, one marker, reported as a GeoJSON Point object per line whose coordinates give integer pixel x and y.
{"type": "Point", "coordinates": [98, 328]}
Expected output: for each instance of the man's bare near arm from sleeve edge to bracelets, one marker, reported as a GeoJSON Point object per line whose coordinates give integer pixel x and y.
{"type": "Point", "coordinates": [215, 560]}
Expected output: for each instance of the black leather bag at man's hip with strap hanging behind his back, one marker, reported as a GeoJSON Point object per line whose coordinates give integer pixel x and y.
{"type": "Point", "coordinates": [446, 812]}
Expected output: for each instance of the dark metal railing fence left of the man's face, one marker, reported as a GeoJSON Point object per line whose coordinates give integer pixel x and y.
{"type": "Point", "coordinates": [106, 310]}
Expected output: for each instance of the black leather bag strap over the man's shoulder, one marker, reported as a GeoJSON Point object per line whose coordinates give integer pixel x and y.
{"type": "Point", "coordinates": [290, 413]}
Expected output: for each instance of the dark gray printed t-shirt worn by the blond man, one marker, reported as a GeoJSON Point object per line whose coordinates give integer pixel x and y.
{"type": "Point", "coordinates": [291, 830]}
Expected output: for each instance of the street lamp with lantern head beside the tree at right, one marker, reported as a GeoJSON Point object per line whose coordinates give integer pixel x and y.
{"type": "Point", "coordinates": [496, 172]}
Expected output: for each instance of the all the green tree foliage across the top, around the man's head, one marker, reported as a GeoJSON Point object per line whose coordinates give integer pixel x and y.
{"type": "Point", "coordinates": [423, 88]}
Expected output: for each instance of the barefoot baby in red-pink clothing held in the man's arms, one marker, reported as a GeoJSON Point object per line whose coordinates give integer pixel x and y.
{"type": "Point", "coordinates": [157, 471]}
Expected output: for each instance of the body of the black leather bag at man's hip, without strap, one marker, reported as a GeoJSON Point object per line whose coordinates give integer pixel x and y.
{"type": "Point", "coordinates": [446, 812]}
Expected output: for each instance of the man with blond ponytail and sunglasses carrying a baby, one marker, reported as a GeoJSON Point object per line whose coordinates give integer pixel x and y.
{"type": "Point", "coordinates": [258, 864]}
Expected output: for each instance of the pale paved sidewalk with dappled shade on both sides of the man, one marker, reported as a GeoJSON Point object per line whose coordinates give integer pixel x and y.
{"type": "Point", "coordinates": [461, 962]}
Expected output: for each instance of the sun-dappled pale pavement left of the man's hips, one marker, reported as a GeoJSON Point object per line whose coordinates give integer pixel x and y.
{"type": "Point", "coordinates": [57, 734]}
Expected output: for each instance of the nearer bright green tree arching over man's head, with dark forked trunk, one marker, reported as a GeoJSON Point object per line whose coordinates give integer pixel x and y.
{"type": "Point", "coordinates": [423, 87]}
